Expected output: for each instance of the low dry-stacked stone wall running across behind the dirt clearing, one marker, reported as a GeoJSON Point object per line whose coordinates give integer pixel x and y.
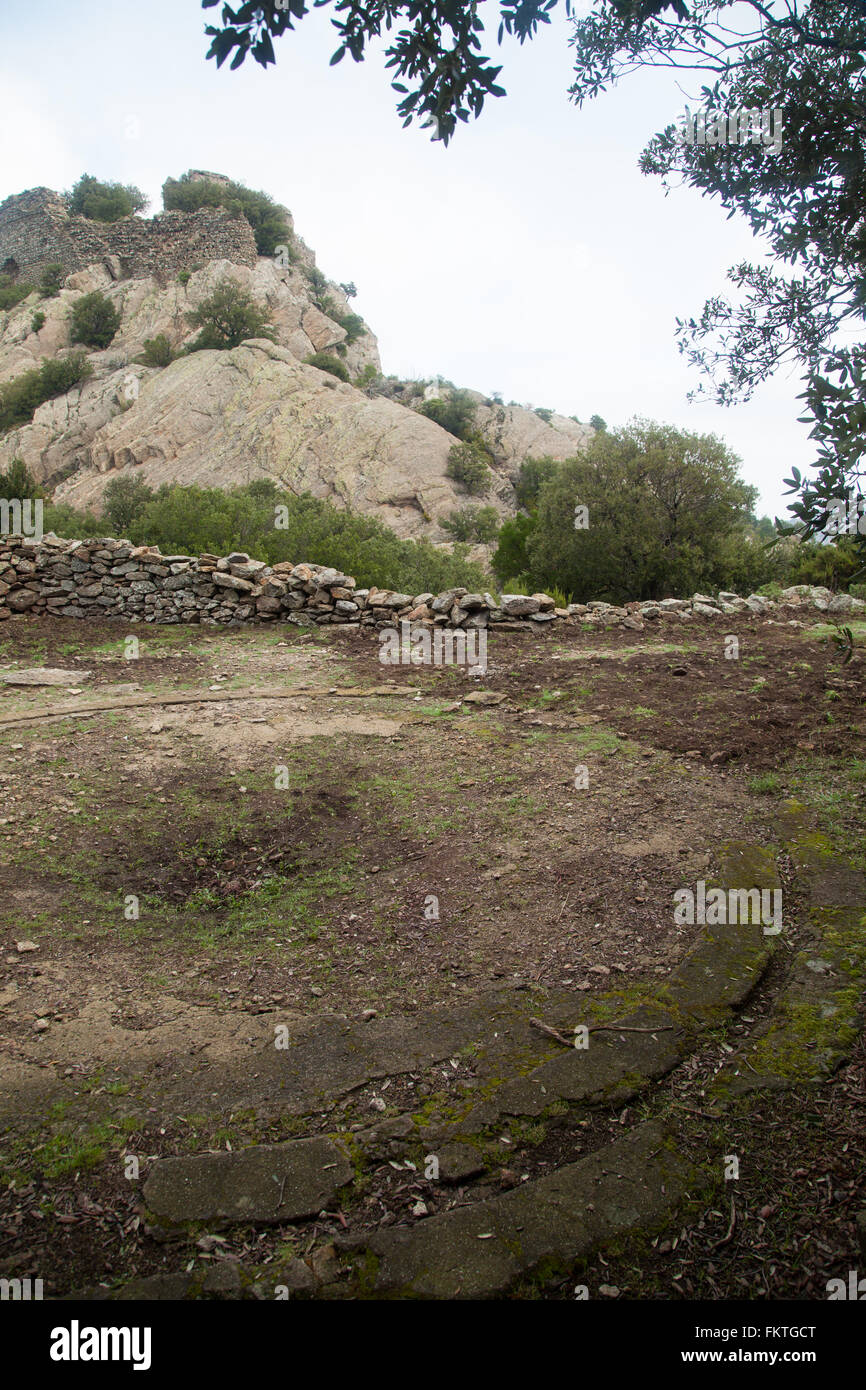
{"type": "Point", "coordinates": [116, 579]}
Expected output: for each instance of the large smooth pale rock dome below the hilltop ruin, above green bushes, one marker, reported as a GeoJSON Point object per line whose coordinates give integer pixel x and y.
{"type": "Point", "coordinates": [261, 414]}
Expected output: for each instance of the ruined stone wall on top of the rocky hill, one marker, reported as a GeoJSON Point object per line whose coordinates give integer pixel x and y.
{"type": "Point", "coordinates": [38, 230]}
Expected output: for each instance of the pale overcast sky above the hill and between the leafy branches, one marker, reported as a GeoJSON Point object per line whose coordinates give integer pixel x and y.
{"type": "Point", "coordinates": [529, 258]}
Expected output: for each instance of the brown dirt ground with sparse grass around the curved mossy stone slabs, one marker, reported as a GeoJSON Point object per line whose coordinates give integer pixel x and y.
{"type": "Point", "coordinates": [266, 822]}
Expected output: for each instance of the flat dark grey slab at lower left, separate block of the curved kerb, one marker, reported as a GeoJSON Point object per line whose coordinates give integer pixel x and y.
{"type": "Point", "coordinates": [268, 1184]}
